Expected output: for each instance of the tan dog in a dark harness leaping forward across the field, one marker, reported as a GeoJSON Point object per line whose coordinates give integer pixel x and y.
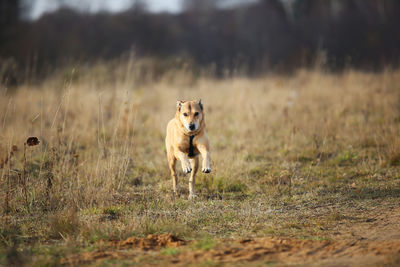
{"type": "Point", "coordinates": [186, 138]}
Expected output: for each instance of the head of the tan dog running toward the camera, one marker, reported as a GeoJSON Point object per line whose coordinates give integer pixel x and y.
{"type": "Point", "coordinates": [190, 113]}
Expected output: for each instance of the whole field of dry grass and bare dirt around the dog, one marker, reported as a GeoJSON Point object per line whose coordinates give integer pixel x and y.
{"type": "Point", "coordinates": [305, 170]}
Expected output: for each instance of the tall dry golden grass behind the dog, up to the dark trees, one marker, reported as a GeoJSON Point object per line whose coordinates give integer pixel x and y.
{"type": "Point", "coordinates": [101, 137]}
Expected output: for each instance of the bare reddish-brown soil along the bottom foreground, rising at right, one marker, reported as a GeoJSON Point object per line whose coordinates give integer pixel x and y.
{"type": "Point", "coordinates": [373, 242]}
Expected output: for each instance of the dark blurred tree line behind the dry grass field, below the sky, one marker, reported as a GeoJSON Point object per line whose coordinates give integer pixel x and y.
{"type": "Point", "coordinates": [256, 37]}
